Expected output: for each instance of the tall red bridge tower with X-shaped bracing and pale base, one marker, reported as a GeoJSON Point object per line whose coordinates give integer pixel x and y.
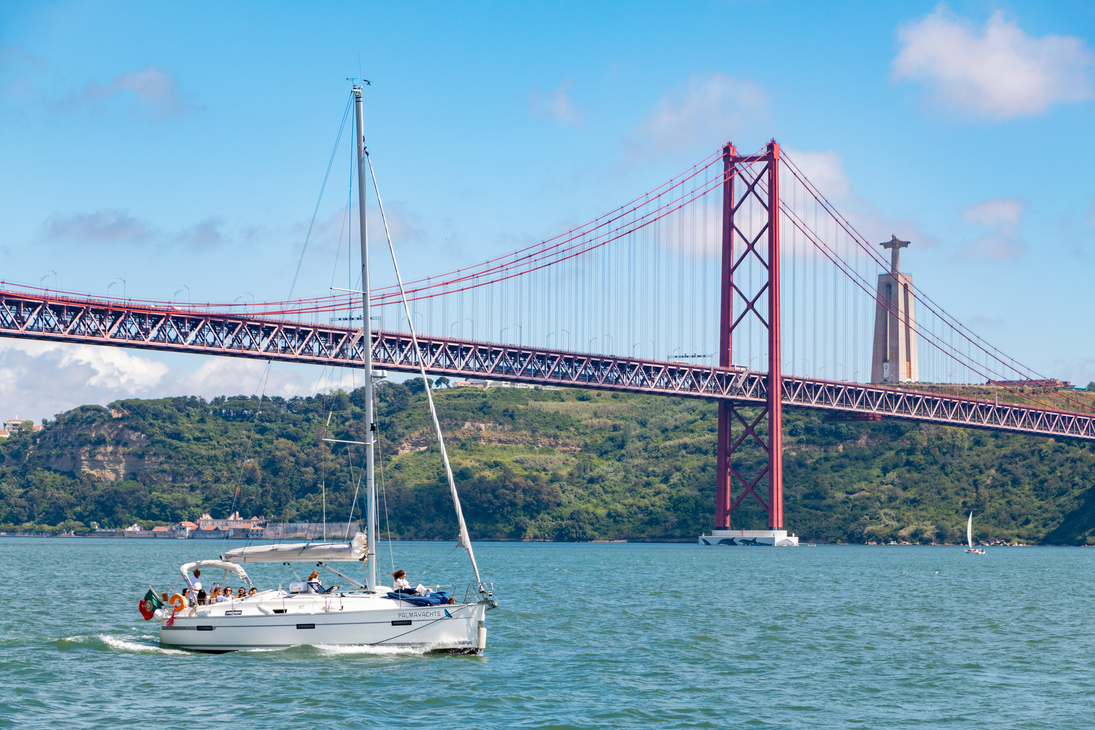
{"type": "Point", "coordinates": [751, 179]}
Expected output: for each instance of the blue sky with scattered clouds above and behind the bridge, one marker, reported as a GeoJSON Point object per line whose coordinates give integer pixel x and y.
{"type": "Point", "coordinates": [180, 148]}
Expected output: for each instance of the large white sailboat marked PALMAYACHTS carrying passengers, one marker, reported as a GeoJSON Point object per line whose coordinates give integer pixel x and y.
{"type": "Point", "coordinates": [354, 613]}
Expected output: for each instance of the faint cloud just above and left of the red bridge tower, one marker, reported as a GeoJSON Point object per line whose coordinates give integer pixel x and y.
{"type": "Point", "coordinates": [706, 112]}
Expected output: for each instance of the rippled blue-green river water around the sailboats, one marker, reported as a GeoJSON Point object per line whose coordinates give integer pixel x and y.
{"type": "Point", "coordinates": [587, 635]}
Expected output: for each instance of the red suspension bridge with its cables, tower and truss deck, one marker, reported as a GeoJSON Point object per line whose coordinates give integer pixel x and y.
{"type": "Point", "coordinates": [736, 282]}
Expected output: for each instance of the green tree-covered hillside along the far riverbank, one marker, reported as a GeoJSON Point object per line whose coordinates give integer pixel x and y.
{"type": "Point", "coordinates": [535, 465]}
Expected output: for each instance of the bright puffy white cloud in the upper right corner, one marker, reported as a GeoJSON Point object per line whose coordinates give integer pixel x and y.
{"type": "Point", "coordinates": [997, 72]}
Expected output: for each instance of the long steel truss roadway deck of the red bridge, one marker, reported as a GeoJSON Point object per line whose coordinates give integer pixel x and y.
{"type": "Point", "coordinates": [122, 325]}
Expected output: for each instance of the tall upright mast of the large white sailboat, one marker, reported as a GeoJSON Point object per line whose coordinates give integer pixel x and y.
{"type": "Point", "coordinates": [371, 438]}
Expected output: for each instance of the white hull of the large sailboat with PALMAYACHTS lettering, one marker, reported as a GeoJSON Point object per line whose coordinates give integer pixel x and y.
{"type": "Point", "coordinates": [347, 620]}
